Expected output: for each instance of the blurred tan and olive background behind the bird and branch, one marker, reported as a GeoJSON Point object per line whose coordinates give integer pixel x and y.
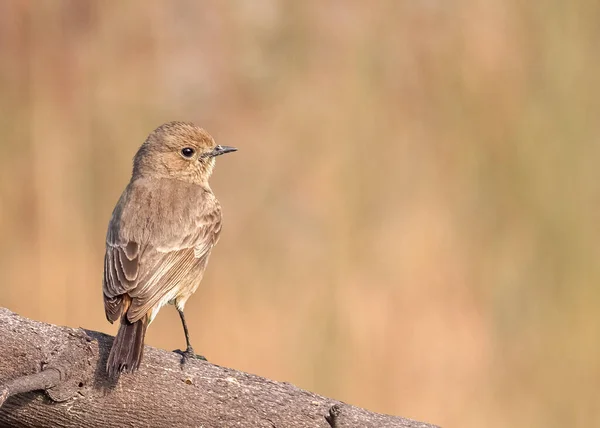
{"type": "Point", "coordinates": [410, 224]}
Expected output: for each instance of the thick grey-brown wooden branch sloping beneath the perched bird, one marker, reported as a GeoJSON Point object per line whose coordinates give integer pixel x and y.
{"type": "Point", "coordinates": [54, 376]}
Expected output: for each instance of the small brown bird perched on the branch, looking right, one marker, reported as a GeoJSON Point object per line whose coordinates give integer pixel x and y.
{"type": "Point", "coordinates": [160, 236]}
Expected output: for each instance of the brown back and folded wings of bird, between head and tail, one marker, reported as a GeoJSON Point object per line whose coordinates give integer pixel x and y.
{"type": "Point", "coordinates": [173, 225]}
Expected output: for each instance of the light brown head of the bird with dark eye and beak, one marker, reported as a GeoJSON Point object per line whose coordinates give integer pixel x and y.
{"type": "Point", "coordinates": [178, 150]}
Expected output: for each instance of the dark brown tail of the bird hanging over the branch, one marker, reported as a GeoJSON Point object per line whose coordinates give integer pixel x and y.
{"type": "Point", "coordinates": [128, 347]}
